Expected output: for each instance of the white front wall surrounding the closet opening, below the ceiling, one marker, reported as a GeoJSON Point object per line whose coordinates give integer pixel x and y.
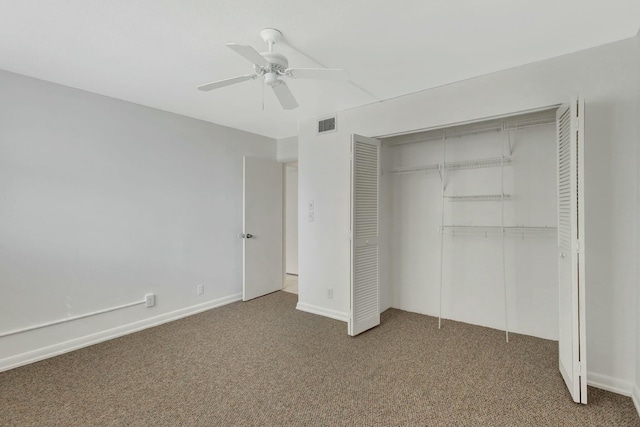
{"type": "Point", "coordinates": [606, 77]}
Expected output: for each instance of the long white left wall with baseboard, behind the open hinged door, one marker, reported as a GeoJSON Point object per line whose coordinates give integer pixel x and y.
{"type": "Point", "coordinates": [103, 201]}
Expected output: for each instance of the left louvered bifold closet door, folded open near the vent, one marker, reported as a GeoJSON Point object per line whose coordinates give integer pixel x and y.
{"type": "Point", "coordinates": [365, 188]}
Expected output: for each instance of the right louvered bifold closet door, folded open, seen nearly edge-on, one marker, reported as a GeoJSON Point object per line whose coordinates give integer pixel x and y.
{"type": "Point", "coordinates": [571, 264]}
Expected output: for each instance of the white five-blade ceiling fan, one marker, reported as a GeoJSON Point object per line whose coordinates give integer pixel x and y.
{"type": "Point", "coordinates": [272, 66]}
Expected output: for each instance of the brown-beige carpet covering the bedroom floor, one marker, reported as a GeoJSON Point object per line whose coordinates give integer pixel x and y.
{"type": "Point", "coordinates": [264, 363]}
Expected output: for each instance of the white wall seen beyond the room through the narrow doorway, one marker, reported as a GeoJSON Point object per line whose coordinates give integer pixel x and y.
{"type": "Point", "coordinates": [291, 218]}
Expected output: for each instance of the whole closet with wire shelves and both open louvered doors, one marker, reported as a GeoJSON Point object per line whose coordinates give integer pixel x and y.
{"type": "Point", "coordinates": [479, 222]}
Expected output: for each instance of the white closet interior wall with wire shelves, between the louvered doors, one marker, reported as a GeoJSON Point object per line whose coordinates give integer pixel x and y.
{"type": "Point", "coordinates": [471, 257]}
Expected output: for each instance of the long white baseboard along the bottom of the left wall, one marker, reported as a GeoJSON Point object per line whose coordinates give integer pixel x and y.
{"type": "Point", "coordinates": [77, 343]}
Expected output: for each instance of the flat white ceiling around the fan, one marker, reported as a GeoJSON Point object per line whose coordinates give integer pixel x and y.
{"type": "Point", "coordinates": [155, 52]}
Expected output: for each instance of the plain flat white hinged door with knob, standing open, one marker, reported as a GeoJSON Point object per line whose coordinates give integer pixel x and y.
{"type": "Point", "coordinates": [262, 228]}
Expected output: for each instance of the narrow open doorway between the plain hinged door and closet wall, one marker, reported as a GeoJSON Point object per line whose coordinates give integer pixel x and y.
{"type": "Point", "coordinates": [290, 211]}
